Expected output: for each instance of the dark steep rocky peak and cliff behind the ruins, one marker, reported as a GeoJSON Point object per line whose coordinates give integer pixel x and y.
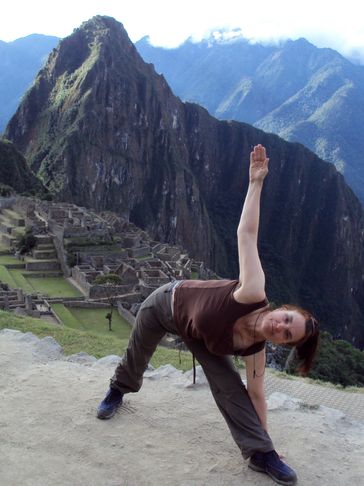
{"type": "Point", "coordinates": [103, 130]}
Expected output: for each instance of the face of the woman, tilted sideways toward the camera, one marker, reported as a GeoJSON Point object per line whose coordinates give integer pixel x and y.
{"type": "Point", "coordinates": [283, 326]}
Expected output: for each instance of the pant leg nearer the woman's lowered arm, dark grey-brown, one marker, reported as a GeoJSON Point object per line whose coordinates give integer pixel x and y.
{"type": "Point", "coordinates": [232, 400]}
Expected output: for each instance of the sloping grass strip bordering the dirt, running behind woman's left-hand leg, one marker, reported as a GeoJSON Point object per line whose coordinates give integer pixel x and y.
{"type": "Point", "coordinates": [95, 344]}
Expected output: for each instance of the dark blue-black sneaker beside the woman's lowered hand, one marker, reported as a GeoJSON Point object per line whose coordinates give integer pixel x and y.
{"type": "Point", "coordinates": [271, 464]}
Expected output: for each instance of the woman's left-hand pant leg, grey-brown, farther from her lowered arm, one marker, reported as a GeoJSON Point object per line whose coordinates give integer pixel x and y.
{"type": "Point", "coordinates": [153, 320]}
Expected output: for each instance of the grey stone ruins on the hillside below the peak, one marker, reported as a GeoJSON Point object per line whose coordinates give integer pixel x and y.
{"type": "Point", "coordinates": [78, 243]}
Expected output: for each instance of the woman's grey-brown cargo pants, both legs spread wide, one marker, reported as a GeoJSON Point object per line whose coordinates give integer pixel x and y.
{"type": "Point", "coordinates": [154, 319]}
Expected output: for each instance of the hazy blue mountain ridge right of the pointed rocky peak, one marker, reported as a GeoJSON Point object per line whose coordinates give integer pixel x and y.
{"type": "Point", "coordinates": [296, 90]}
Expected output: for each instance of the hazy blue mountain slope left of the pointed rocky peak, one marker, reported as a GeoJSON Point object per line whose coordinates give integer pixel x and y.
{"type": "Point", "coordinates": [20, 61]}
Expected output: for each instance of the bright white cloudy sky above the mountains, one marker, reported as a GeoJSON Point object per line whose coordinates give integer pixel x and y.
{"type": "Point", "coordinates": [325, 23]}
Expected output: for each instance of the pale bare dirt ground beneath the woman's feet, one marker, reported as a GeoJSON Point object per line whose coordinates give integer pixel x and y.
{"type": "Point", "coordinates": [170, 433]}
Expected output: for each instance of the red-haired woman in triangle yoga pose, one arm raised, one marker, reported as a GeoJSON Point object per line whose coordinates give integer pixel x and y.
{"type": "Point", "coordinates": [217, 319]}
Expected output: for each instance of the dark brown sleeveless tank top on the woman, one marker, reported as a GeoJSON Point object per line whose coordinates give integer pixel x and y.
{"type": "Point", "coordinates": [207, 310]}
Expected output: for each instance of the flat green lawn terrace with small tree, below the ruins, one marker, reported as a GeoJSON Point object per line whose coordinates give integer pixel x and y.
{"type": "Point", "coordinates": [92, 320]}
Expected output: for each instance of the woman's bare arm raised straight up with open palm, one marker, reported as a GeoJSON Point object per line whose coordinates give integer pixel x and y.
{"type": "Point", "coordinates": [252, 279]}
